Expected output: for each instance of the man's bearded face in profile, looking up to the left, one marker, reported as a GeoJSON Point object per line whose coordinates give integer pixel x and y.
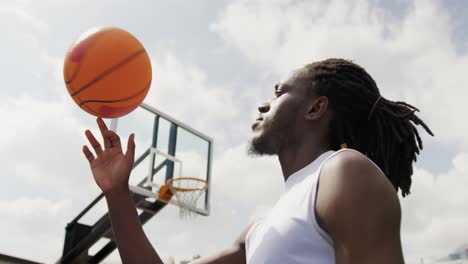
{"type": "Point", "coordinates": [279, 120]}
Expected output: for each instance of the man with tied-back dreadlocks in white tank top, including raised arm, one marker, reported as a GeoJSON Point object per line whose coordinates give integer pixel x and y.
{"type": "Point", "coordinates": [345, 151]}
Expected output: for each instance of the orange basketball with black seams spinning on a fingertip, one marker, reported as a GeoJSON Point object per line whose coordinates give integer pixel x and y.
{"type": "Point", "coordinates": [107, 72]}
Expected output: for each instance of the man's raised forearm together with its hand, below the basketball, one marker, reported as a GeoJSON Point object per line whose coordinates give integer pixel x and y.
{"type": "Point", "coordinates": [111, 170]}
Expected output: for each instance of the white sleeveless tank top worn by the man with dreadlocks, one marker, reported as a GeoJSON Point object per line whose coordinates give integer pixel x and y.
{"type": "Point", "coordinates": [289, 232]}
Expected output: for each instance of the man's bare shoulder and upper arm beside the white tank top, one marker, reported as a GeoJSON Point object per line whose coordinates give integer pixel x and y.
{"type": "Point", "coordinates": [359, 208]}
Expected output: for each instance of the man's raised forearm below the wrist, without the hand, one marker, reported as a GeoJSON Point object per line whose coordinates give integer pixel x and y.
{"type": "Point", "coordinates": [133, 245]}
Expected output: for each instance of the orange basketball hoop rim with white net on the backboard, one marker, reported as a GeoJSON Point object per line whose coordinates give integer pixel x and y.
{"type": "Point", "coordinates": [187, 191]}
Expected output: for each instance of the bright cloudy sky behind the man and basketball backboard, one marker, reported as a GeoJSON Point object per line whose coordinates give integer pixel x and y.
{"type": "Point", "coordinates": [213, 63]}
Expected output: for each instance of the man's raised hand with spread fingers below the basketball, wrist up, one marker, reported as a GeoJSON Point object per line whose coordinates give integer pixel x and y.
{"type": "Point", "coordinates": [111, 168]}
